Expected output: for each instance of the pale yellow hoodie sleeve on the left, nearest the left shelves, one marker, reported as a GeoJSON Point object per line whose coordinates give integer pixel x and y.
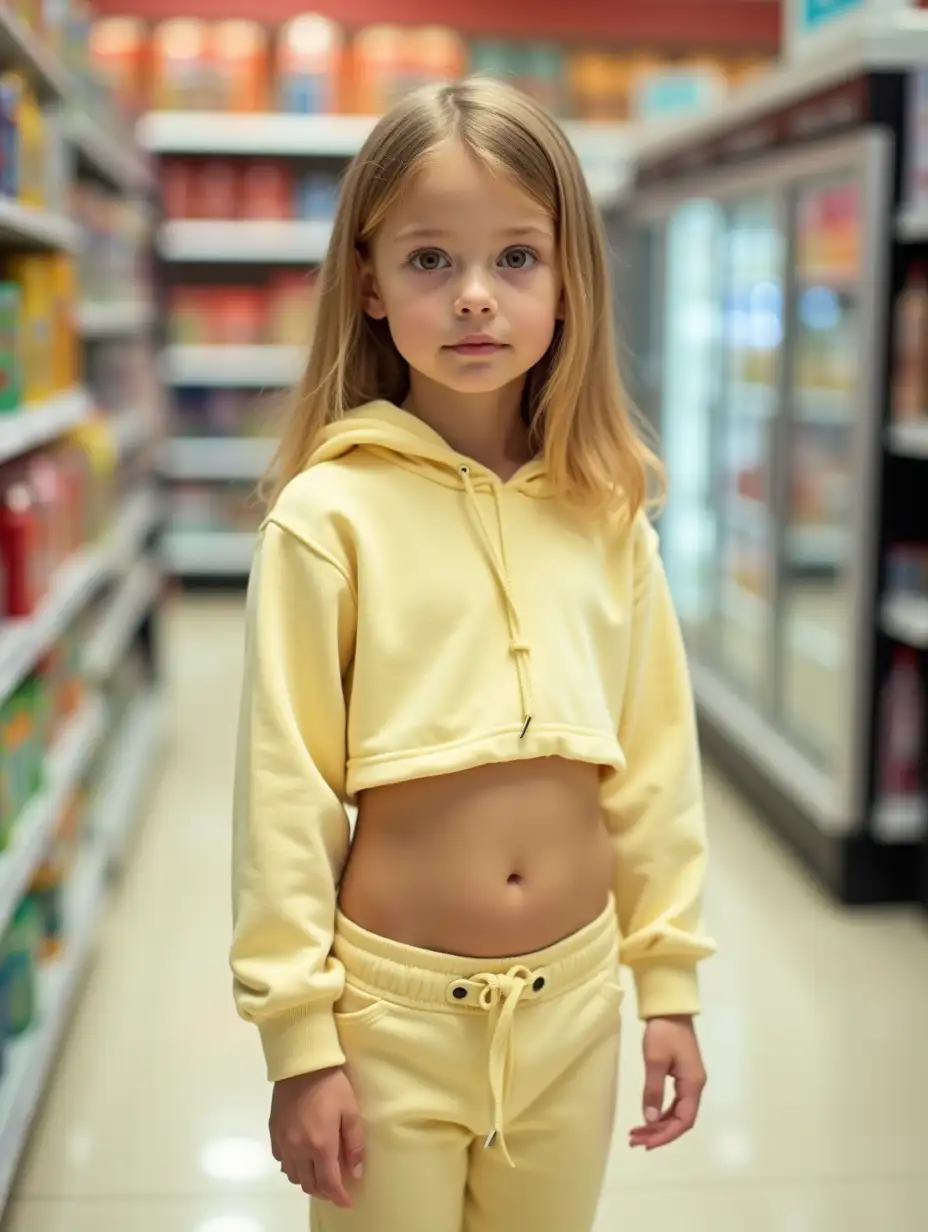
{"type": "Point", "coordinates": [290, 827]}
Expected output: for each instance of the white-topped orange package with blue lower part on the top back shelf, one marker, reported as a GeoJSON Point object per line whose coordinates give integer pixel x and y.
{"type": "Point", "coordinates": [310, 66]}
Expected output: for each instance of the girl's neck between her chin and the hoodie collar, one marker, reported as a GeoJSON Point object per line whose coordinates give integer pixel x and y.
{"type": "Point", "coordinates": [487, 427]}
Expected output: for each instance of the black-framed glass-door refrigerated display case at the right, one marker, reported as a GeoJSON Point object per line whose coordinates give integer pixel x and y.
{"type": "Point", "coordinates": [768, 231]}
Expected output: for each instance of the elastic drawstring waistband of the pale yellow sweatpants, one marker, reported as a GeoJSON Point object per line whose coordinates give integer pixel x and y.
{"type": "Point", "coordinates": [428, 979]}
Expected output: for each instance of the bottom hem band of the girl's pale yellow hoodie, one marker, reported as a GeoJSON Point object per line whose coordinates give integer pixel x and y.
{"type": "Point", "coordinates": [500, 745]}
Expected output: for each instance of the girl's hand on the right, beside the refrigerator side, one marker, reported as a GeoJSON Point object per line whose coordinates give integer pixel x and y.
{"type": "Point", "coordinates": [671, 1052]}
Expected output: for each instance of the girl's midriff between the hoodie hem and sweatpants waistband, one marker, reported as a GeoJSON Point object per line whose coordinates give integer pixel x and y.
{"type": "Point", "coordinates": [490, 863]}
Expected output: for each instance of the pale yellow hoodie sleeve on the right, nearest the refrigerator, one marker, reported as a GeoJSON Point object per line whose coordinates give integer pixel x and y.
{"type": "Point", "coordinates": [655, 808]}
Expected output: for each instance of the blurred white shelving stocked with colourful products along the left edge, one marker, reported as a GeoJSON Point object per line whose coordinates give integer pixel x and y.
{"type": "Point", "coordinates": [81, 413]}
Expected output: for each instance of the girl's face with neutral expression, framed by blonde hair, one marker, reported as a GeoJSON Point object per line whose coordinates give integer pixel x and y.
{"type": "Point", "coordinates": [465, 272]}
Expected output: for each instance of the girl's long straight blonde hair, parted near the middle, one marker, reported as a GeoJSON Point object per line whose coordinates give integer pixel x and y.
{"type": "Point", "coordinates": [580, 421]}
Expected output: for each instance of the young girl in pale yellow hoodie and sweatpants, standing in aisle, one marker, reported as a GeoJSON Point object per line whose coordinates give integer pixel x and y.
{"type": "Point", "coordinates": [458, 619]}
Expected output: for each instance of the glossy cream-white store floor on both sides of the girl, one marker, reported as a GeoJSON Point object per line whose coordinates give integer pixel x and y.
{"type": "Point", "coordinates": [815, 1034]}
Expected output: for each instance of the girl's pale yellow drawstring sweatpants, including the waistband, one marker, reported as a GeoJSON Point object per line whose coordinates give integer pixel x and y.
{"type": "Point", "coordinates": [487, 1087]}
